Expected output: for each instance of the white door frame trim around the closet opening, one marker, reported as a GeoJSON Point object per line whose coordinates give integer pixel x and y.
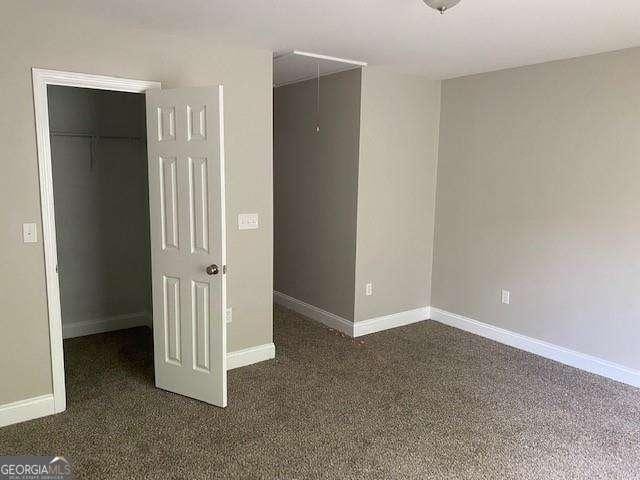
{"type": "Point", "coordinates": [41, 79]}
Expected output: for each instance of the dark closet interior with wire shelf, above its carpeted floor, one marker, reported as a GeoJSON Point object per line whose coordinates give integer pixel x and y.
{"type": "Point", "coordinates": [100, 183]}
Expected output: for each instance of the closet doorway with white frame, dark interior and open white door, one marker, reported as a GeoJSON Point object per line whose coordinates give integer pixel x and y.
{"type": "Point", "coordinates": [177, 218]}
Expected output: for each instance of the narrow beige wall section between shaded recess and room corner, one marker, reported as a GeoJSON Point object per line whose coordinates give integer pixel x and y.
{"type": "Point", "coordinates": [396, 192]}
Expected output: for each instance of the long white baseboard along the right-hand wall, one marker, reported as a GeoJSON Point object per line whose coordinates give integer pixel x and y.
{"type": "Point", "coordinates": [563, 355]}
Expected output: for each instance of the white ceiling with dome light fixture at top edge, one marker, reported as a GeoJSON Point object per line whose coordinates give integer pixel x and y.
{"type": "Point", "coordinates": [405, 35]}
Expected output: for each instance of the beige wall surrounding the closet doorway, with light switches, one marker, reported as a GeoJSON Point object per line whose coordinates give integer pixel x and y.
{"type": "Point", "coordinates": [46, 39]}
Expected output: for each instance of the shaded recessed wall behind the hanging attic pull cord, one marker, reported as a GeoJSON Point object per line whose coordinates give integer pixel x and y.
{"type": "Point", "coordinates": [316, 181]}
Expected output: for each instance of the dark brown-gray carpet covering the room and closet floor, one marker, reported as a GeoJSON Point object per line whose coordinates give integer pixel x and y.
{"type": "Point", "coordinates": [418, 402]}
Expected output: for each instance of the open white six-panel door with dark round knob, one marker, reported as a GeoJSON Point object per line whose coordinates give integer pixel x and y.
{"type": "Point", "coordinates": [185, 137]}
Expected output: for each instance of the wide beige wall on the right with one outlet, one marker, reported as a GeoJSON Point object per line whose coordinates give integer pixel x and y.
{"type": "Point", "coordinates": [538, 193]}
